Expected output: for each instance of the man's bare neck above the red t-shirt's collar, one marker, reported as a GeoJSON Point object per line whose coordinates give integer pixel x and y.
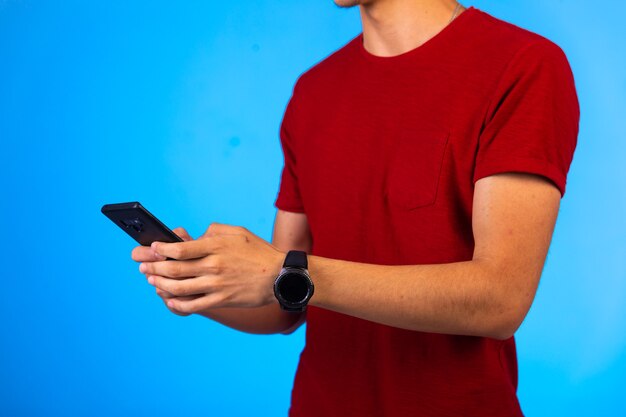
{"type": "Point", "coordinates": [392, 27]}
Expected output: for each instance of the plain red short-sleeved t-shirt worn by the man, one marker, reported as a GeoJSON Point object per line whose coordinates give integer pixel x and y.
{"type": "Point", "coordinates": [382, 154]}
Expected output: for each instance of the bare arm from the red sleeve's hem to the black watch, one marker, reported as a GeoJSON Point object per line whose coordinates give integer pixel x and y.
{"type": "Point", "coordinates": [513, 221]}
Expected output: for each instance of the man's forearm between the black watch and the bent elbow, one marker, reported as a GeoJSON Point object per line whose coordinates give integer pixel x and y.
{"type": "Point", "coordinates": [466, 298]}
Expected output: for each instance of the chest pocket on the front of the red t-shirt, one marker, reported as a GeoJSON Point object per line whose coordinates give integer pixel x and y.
{"type": "Point", "coordinates": [415, 167]}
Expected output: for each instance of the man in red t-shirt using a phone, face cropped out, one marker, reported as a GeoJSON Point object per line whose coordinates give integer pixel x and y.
{"type": "Point", "coordinates": [424, 166]}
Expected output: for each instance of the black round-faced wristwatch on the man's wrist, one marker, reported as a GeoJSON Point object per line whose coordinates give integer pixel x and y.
{"type": "Point", "coordinates": [293, 286]}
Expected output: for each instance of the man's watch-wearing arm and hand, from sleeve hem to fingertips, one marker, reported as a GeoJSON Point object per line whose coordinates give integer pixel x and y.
{"type": "Point", "coordinates": [513, 220]}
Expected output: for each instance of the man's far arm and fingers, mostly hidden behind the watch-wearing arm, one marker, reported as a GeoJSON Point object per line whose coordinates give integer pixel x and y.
{"type": "Point", "coordinates": [291, 231]}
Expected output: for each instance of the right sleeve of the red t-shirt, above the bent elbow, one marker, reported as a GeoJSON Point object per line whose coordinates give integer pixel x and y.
{"type": "Point", "coordinates": [532, 121]}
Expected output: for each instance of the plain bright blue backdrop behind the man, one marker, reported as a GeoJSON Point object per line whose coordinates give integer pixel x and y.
{"type": "Point", "coordinates": [177, 105]}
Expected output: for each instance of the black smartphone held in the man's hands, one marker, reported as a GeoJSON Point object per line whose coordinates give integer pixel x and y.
{"type": "Point", "coordinates": [139, 223]}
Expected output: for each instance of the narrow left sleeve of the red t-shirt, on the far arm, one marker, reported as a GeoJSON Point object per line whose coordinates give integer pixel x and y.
{"type": "Point", "coordinates": [288, 197]}
